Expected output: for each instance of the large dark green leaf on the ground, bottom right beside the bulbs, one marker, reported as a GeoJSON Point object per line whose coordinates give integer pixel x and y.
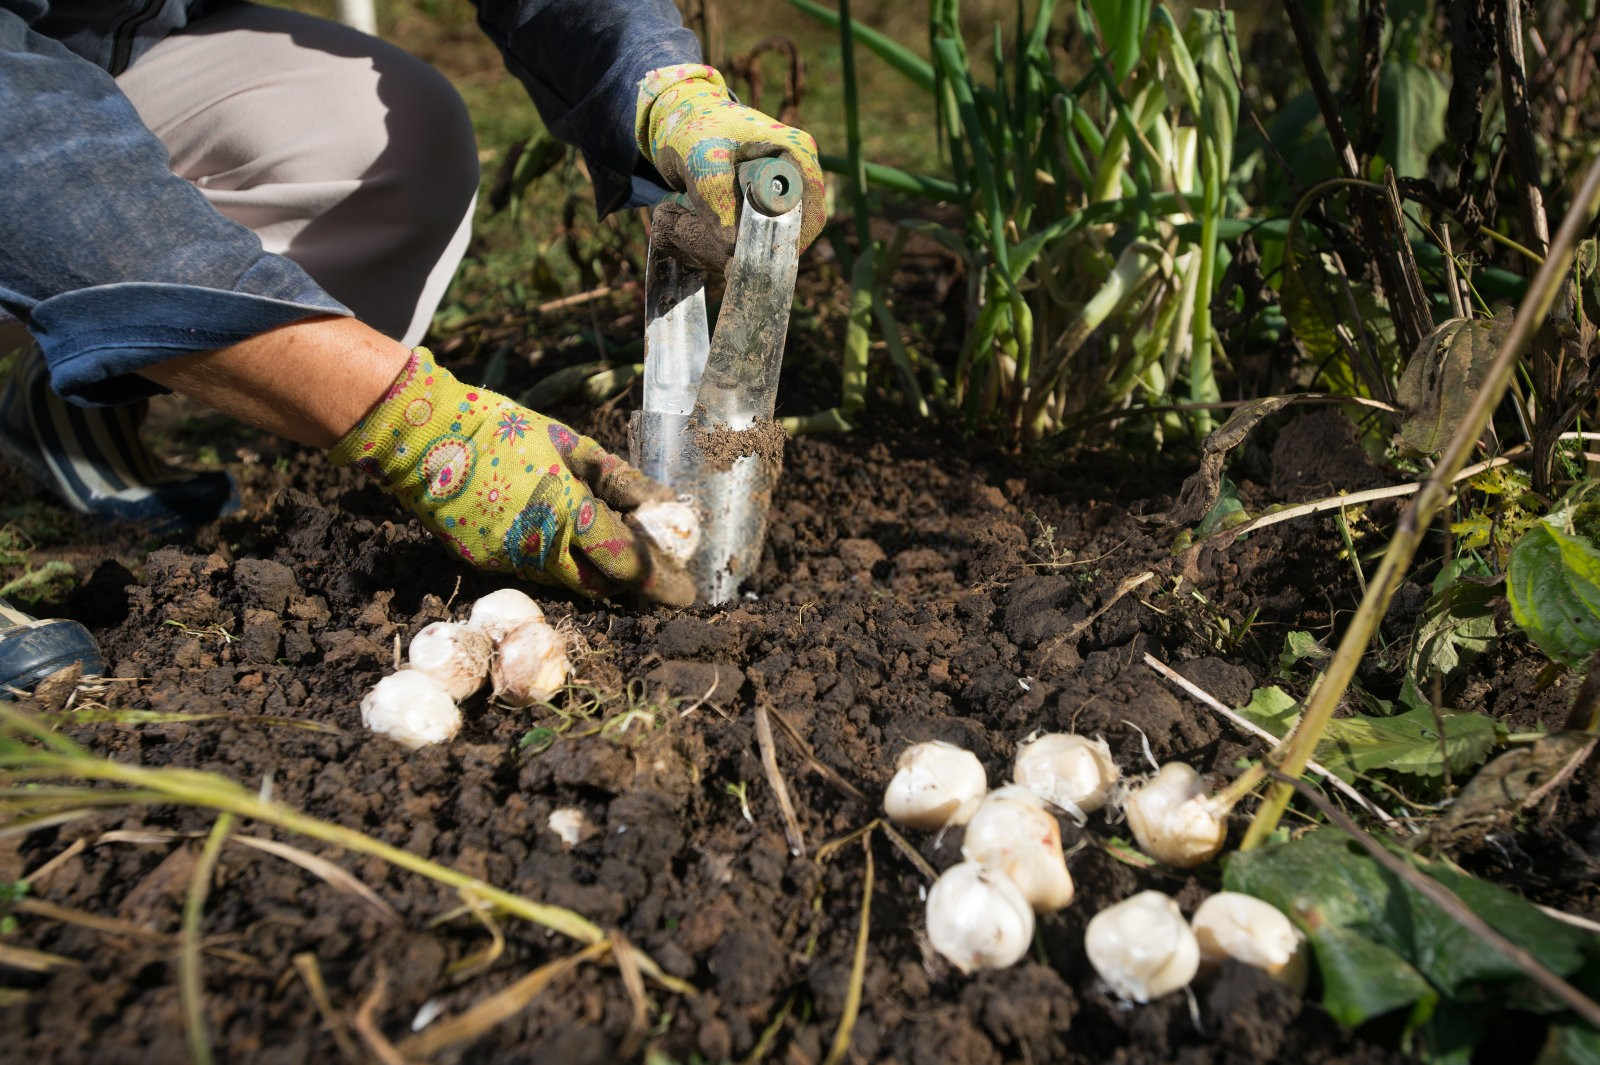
{"type": "Point", "coordinates": [1382, 946]}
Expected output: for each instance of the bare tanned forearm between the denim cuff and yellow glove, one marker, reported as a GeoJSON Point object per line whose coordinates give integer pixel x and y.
{"type": "Point", "coordinates": [310, 381]}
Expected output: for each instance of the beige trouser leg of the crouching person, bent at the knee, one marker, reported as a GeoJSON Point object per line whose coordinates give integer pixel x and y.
{"type": "Point", "coordinates": [343, 153]}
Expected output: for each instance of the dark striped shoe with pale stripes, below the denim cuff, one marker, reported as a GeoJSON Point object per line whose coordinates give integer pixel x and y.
{"type": "Point", "coordinates": [94, 460]}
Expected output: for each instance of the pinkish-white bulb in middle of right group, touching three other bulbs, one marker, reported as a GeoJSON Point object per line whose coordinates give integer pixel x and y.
{"type": "Point", "coordinates": [1017, 837]}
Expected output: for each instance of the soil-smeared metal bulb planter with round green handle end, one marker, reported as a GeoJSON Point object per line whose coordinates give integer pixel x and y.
{"type": "Point", "coordinates": [706, 426]}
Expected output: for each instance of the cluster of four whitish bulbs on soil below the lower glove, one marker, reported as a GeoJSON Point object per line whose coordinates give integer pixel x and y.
{"type": "Point", "coordinates": [505, 637]}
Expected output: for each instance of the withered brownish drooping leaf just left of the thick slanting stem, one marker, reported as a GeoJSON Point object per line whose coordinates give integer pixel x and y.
{"type": "Point", "coordinates": [1444, 378]}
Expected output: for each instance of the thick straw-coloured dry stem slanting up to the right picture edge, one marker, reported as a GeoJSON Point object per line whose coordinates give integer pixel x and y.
{"type": "Point", "coordinates": [1414, 524]}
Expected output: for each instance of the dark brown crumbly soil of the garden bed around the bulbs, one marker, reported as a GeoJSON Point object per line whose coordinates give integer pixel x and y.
{"type": "Point", "coordinates": [913, 589]}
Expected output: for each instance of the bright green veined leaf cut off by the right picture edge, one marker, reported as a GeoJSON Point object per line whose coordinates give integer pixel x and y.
{"type": "Point", "coordinates": [1554, 589]}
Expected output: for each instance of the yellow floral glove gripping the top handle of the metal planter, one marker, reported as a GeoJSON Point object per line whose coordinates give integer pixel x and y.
{"type": "Point", "coordinates": [697, 135]}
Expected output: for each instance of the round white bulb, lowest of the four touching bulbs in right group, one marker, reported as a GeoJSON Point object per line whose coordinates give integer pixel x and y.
{"type": "Point", "coordinates": [978, 919]}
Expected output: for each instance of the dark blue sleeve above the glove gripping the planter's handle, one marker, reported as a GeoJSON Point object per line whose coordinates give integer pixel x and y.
{"type": "Point", "coordinates": [582, 63]}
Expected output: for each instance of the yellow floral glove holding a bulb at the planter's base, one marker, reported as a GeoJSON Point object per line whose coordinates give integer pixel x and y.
{"type": "Point", "coordinates": [513, 490]}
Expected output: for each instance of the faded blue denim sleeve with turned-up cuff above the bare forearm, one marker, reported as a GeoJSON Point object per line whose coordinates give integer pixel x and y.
{"type": "Point", "coordinates": [111, 260]}
